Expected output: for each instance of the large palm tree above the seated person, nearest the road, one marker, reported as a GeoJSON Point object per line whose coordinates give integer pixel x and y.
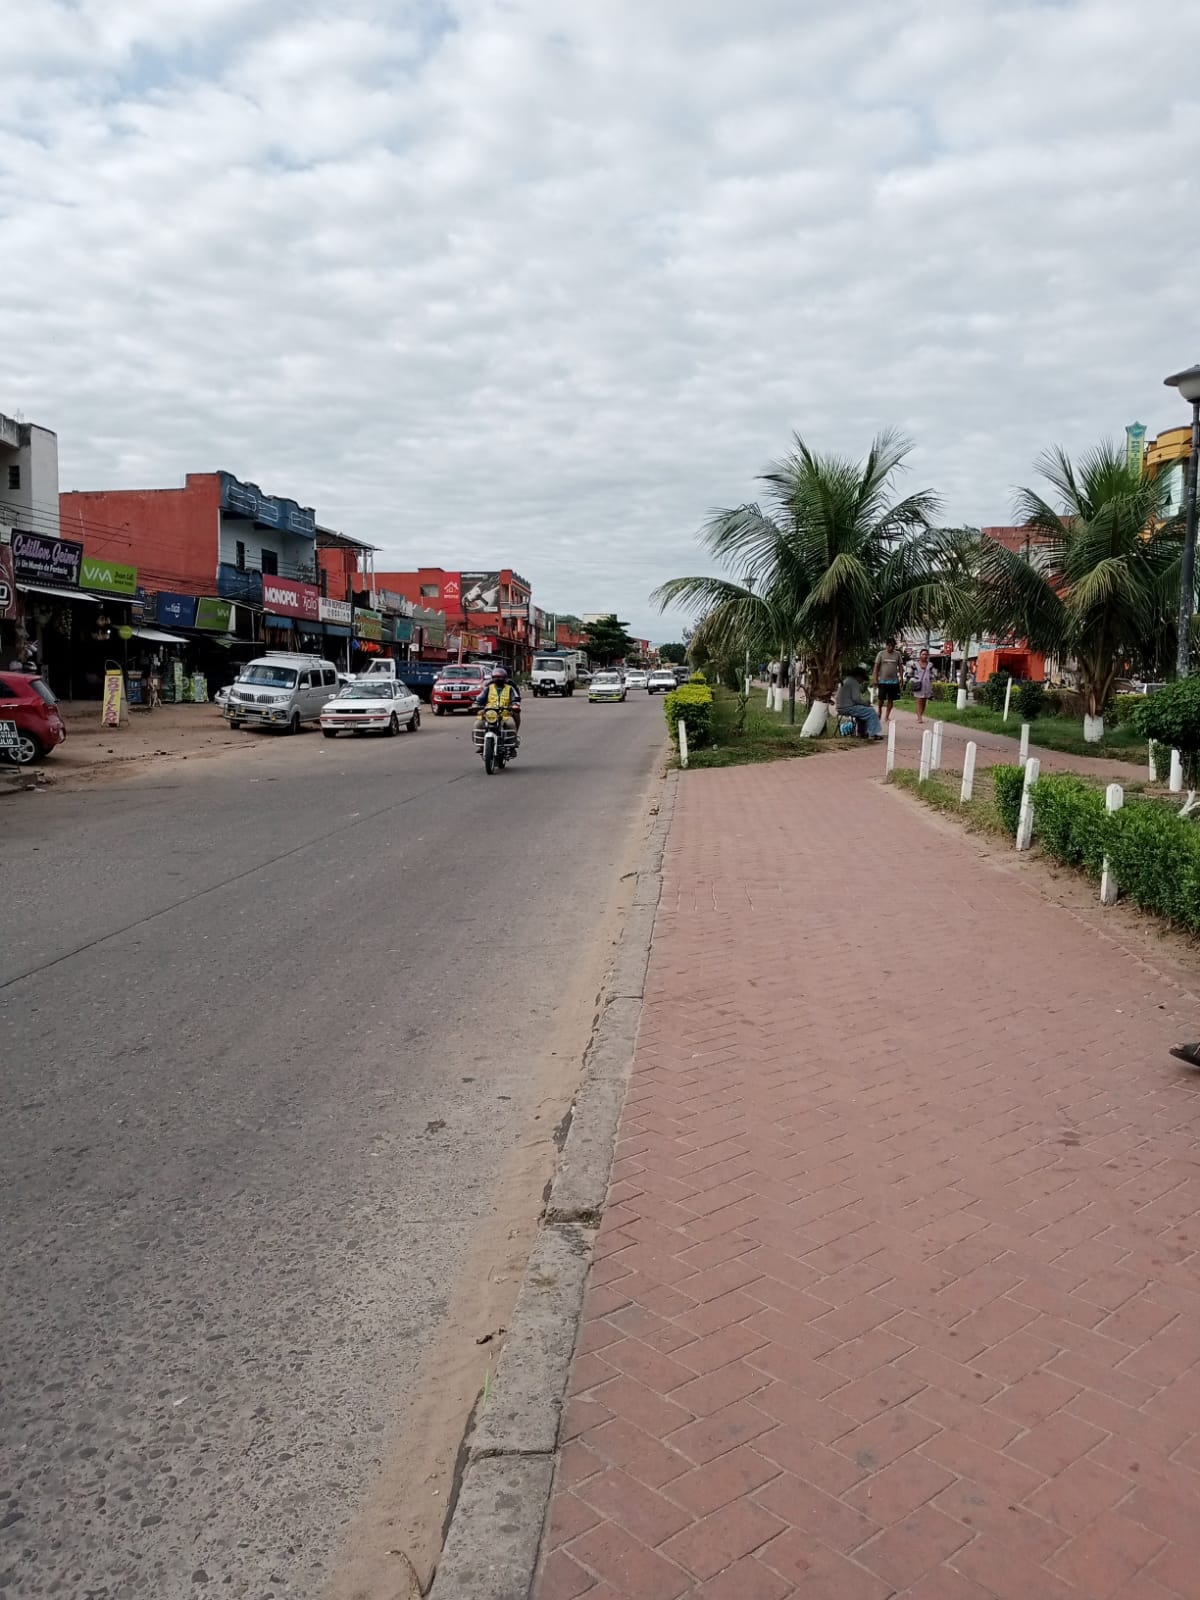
{"type": "Point", "coordinates": [818, 567]}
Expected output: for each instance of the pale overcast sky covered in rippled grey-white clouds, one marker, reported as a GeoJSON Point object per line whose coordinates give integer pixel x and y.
{"type": "Point", "coordinates": [538, 282]}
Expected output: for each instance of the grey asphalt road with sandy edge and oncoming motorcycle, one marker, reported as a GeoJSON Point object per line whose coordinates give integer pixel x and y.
{"type": "Point", "coordinates": [273, 1030]}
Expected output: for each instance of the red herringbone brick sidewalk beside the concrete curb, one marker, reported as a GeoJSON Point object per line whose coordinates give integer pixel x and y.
{"type": "Point", "coordinates": [898, 1287]}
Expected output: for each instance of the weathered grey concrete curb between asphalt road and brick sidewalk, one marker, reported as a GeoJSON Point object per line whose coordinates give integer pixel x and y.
{"type": "Point", "coordinates": [497, 1526]}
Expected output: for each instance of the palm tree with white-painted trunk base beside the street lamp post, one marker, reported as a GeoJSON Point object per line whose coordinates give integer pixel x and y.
{"type": "Point", "coordinates": [1105, 580]}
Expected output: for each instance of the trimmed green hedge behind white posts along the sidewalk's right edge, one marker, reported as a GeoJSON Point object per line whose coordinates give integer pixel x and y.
{"type": "Point", "coordinates": [1153, 852]}
